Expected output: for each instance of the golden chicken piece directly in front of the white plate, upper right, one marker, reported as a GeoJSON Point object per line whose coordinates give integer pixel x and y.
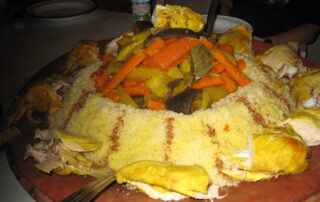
{"type": "Point", "coordinates": [240, 38]}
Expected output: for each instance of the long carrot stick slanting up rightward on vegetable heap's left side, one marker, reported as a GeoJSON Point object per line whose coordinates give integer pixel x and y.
{"type": "Point", "coordinates": [124, 70]}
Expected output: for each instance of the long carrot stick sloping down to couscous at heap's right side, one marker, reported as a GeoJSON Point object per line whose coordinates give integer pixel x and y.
{"type": "Point", "coordinates": [231, 69]}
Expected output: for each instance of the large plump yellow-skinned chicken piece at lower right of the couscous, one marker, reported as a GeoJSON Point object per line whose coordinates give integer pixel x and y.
{"type": "Point", "coordinates": [278, 151]}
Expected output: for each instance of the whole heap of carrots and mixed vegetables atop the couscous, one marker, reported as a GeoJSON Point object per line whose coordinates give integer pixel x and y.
{"type": "Point", "coordinates": [167, 69]}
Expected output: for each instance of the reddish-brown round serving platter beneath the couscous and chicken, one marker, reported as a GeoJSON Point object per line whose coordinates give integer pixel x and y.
{"type": "Point", "coordinates": [44, 187]}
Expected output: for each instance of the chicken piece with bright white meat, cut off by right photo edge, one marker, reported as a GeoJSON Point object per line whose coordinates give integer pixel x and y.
{"type": "Point", "coordinates": [306, 122]}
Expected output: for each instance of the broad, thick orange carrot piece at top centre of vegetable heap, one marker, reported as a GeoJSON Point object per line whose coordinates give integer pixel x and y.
{"type": "Point", "coordinates": [167, 56]}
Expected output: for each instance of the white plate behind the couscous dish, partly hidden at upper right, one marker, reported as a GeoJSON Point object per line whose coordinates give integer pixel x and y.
{"type": "Point", "coordinates": [224, 23]}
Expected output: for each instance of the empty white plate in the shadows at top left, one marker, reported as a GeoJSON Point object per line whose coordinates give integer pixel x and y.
{"type": "Point", "coordinates": [60, 9]}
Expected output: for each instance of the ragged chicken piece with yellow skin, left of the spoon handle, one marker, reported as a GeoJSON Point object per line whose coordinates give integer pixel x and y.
{"type": "Point", "coordinates": [61, 154]}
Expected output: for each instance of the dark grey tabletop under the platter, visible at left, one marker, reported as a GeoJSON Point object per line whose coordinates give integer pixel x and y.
{"type": "Point", "coordinates": [26, 45]}
